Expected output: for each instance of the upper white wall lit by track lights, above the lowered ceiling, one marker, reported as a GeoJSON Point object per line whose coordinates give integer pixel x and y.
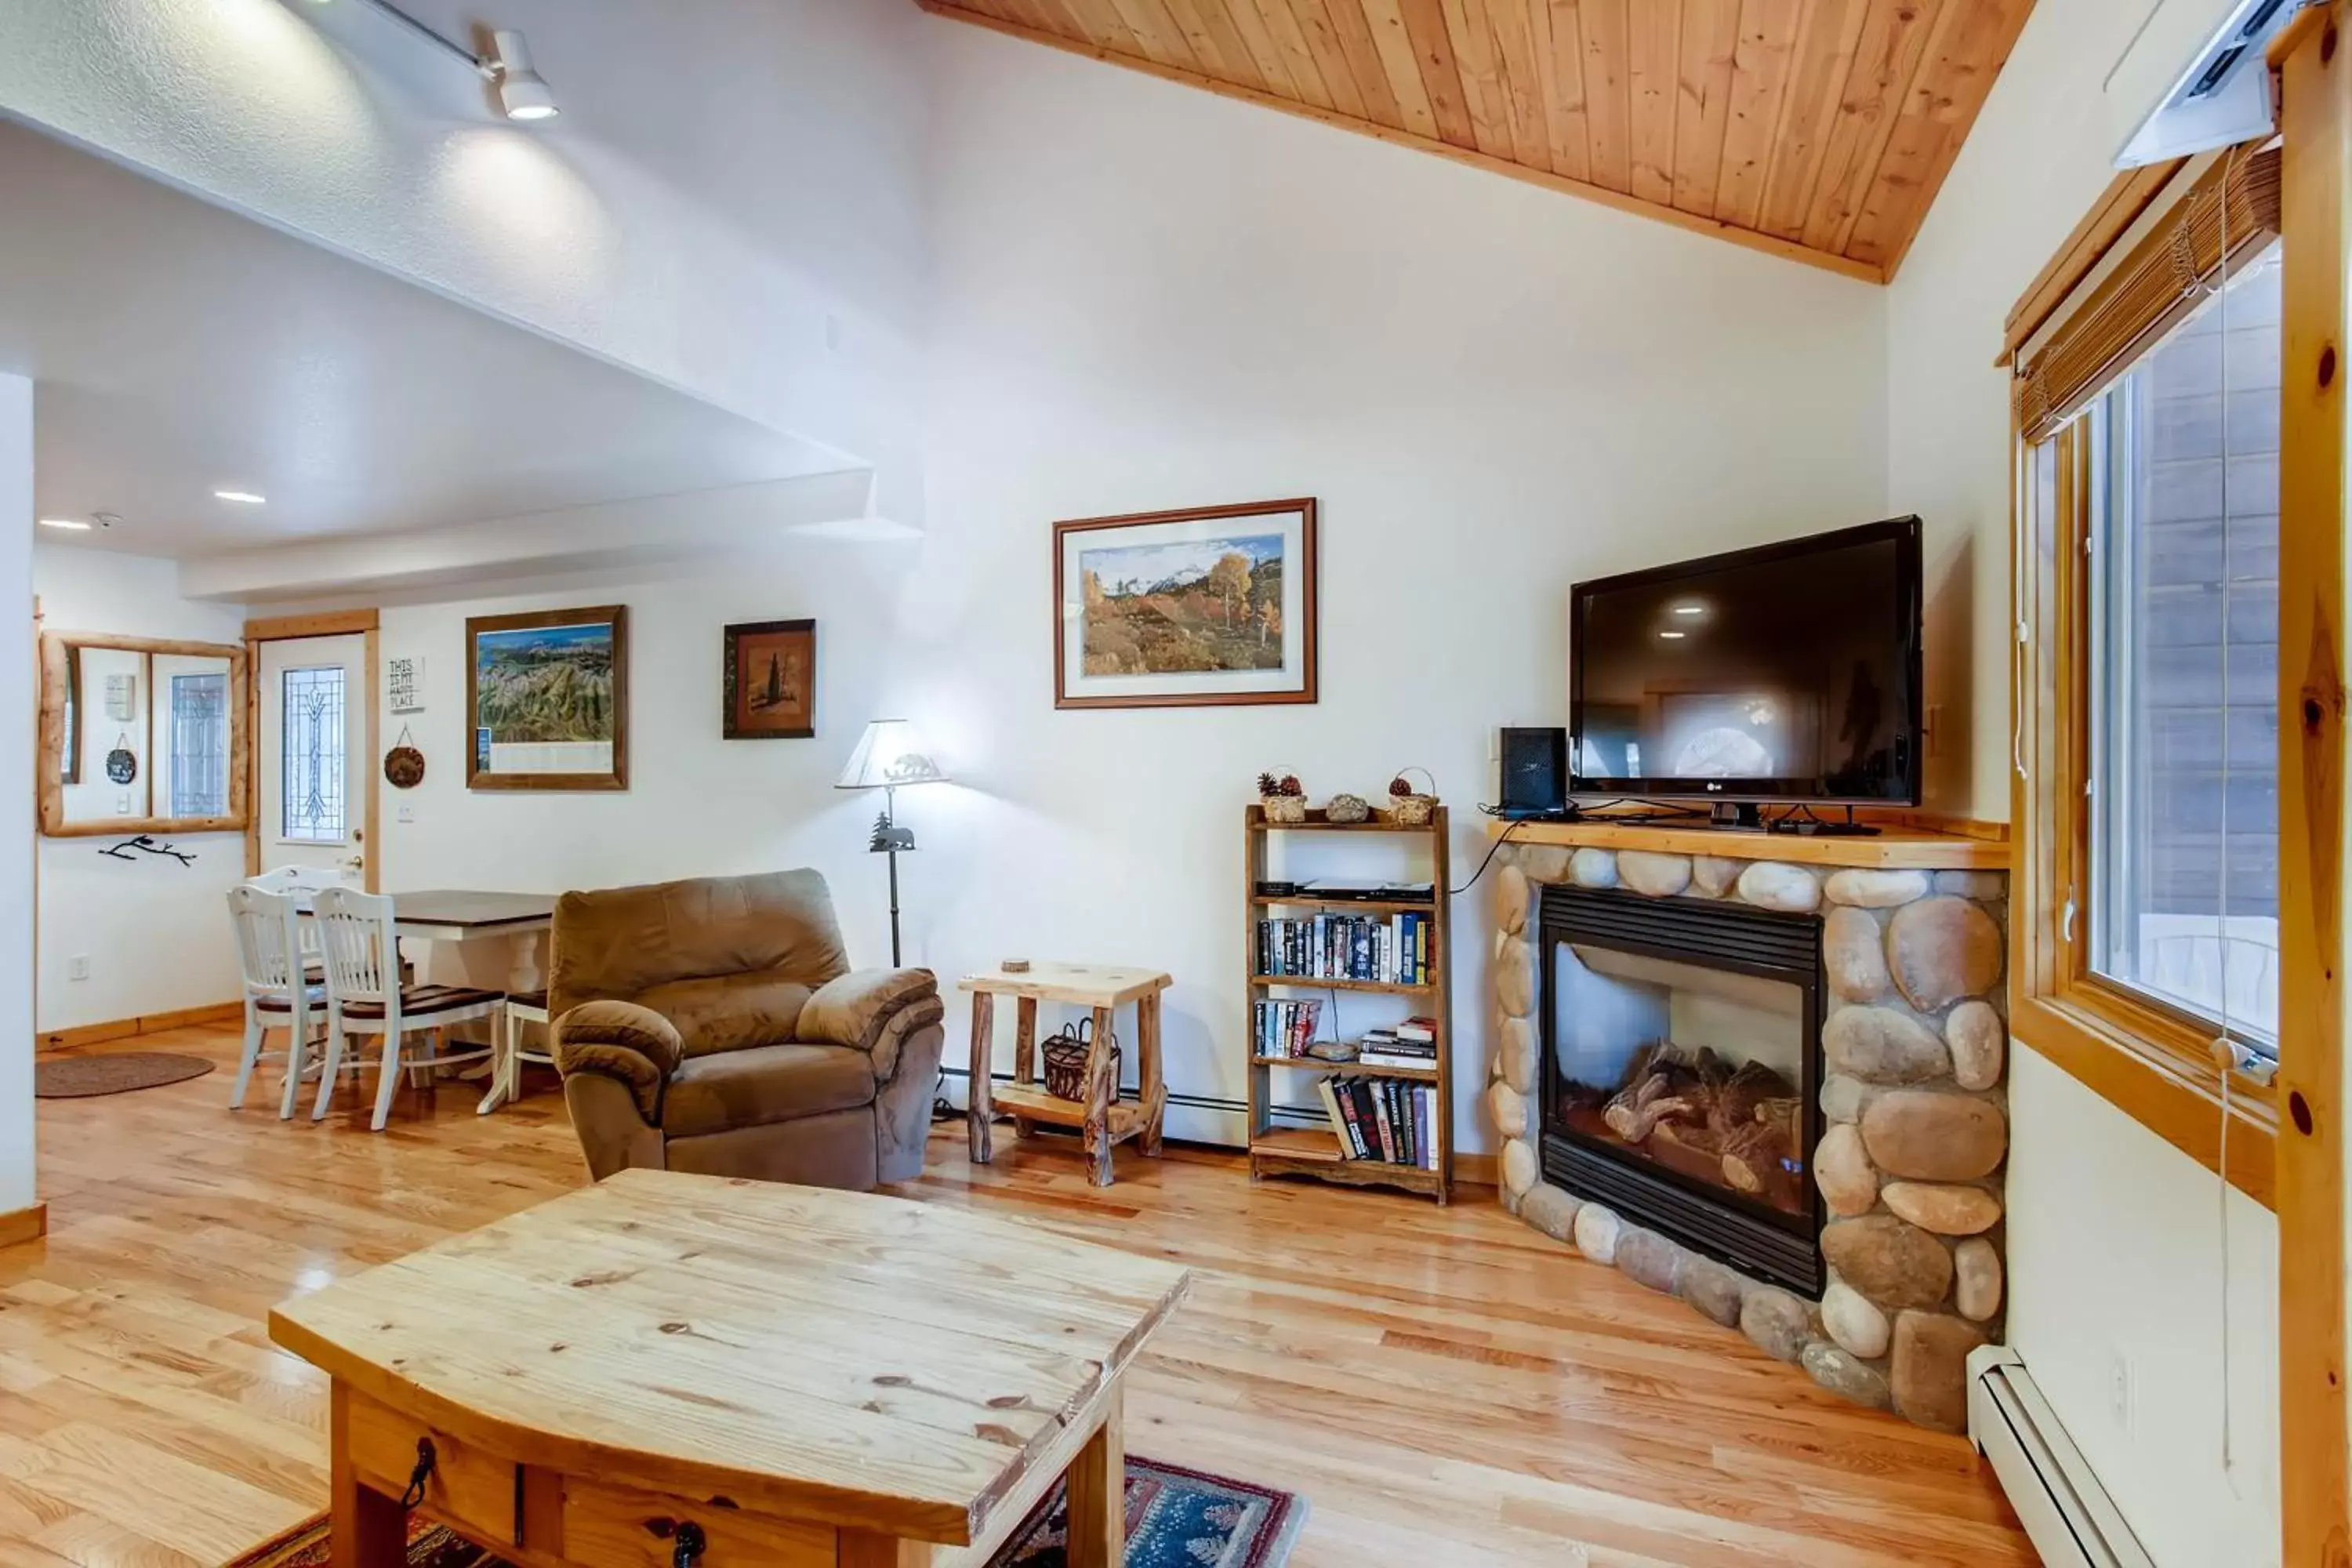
{"type": "Point", "coordinates": [766, 156]}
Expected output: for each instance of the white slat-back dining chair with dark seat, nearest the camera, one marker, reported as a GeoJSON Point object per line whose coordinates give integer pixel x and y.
{"type": "Point", "coordinates": [366, 996]}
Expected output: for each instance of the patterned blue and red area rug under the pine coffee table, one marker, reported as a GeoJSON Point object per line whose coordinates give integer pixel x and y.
{"type": "Point", "coordinates": [1175, 1520]}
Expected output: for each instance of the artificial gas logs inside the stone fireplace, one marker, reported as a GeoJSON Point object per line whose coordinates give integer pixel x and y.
{"type": "Point", "coordinates": [1697, 1113]}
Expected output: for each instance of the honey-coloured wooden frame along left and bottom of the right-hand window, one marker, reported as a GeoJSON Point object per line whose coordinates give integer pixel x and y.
{"type": "Point", "coordinates": [2146, 1059]}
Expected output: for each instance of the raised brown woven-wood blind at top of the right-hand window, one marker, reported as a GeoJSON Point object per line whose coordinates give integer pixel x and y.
{"type": "Point", "coordinates": [2165, 276]}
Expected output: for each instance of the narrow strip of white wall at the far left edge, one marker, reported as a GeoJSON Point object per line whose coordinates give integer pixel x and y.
{"type": "Point", "coordinates": [18, 763]}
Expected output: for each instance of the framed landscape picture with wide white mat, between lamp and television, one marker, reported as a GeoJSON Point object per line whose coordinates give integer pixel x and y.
{"type": "Point", "coordinates": [1180, 610]}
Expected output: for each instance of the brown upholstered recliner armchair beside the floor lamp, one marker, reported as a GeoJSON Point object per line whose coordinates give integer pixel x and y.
{"type": "Point", "coordinates": [716, 1026]}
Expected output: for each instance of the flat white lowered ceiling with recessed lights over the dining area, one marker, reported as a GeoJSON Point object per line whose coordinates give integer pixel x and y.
{"type": "Point", "coordinates": [180, 349]}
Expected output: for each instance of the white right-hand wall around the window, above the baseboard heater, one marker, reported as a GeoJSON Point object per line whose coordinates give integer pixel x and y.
{"type": "Point", "coordinates": [2113, 1235]}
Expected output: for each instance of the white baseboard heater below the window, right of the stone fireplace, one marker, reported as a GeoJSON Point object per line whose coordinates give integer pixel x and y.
{"type": "Point", "coordinates": [2064, 1508]}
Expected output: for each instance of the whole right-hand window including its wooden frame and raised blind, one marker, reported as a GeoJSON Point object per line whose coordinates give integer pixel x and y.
{"type": "Point", "coordinates": [2146, 791]}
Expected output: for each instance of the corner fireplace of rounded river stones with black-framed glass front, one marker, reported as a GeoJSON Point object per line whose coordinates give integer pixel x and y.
{"type": "Point", "coordinates": [1772, 1090]}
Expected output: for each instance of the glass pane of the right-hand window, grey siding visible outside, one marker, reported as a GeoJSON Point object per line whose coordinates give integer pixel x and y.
{"type": "Point", "coordinates": [2184, 718]}
